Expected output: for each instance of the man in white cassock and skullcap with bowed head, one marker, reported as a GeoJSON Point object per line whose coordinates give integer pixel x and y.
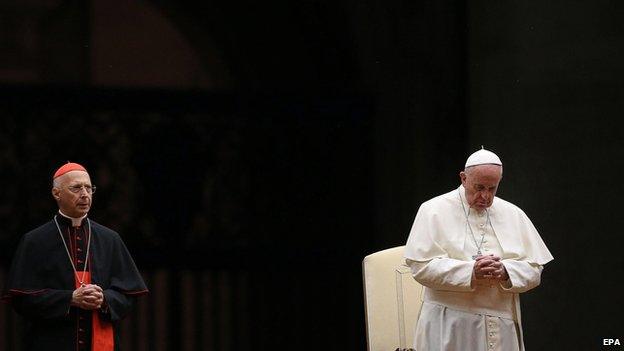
{"type": "Point", "coordinates": [474, 253]}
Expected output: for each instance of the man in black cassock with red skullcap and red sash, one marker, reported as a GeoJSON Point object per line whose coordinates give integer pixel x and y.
{"type": "Point", "coordinates": [72, 279]}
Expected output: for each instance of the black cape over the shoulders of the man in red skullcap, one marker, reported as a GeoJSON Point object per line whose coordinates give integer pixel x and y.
{"type": "Point", "coordinates": [41, 282]}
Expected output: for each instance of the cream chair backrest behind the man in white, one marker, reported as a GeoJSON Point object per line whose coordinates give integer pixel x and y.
{"type": "Point", "coordinates": [392, 300]}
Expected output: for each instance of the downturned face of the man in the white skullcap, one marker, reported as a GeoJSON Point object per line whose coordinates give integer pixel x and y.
{"type": "Point", "coordinates": [481, 183]}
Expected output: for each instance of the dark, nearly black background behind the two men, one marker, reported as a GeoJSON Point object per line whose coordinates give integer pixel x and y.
{"type": "Point", "coordinates": [252, 153]}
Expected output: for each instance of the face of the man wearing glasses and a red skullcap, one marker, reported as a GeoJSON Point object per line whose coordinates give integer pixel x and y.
{"type": "Point", "coordinates": [72, 193]}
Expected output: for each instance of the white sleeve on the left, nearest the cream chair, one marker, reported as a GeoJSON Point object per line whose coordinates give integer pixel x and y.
{"type": "Point", "coordinates": [443, 274]}
